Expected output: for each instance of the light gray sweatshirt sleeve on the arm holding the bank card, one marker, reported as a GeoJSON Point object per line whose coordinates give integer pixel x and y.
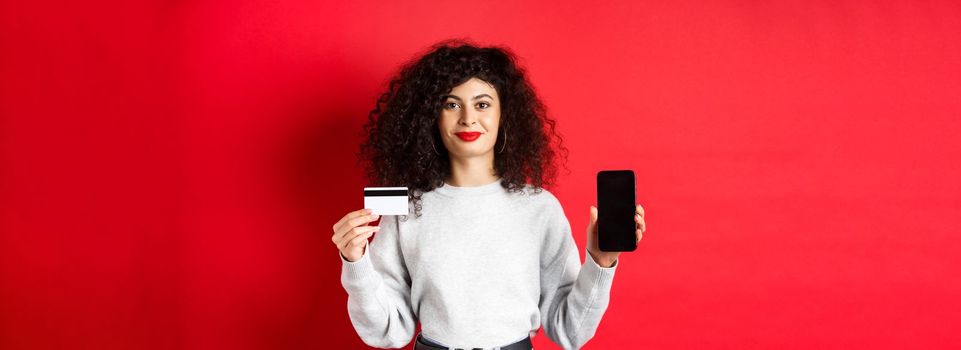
{"type": "Point", "coordinates": [378, 289]}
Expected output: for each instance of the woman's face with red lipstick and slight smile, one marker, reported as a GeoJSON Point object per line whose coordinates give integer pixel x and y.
{"type": "Point", "coordinates": [469, 119]}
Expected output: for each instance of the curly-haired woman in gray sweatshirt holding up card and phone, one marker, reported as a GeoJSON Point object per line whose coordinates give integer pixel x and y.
{"type": "Point", "coordinates": [487, 255]}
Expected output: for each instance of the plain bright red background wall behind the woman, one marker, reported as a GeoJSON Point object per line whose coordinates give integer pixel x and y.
{"type": "Point", "coordinates": [169, 171]}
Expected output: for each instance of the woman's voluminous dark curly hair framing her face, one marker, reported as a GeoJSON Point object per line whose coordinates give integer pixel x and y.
{"type": "Point", "coordinates": [403, 140]}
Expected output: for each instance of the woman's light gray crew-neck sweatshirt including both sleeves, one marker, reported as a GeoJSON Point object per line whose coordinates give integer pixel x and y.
{"type": "Point", "coordinates": [482, 267]}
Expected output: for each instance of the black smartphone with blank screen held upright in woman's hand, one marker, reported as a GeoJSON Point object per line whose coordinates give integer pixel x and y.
{"type": "Point", "coordinates": [616, 229]}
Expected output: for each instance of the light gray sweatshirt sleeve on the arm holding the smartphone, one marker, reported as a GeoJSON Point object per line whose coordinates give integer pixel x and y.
{"type": "Point", "coordinates": [574, 296]}
